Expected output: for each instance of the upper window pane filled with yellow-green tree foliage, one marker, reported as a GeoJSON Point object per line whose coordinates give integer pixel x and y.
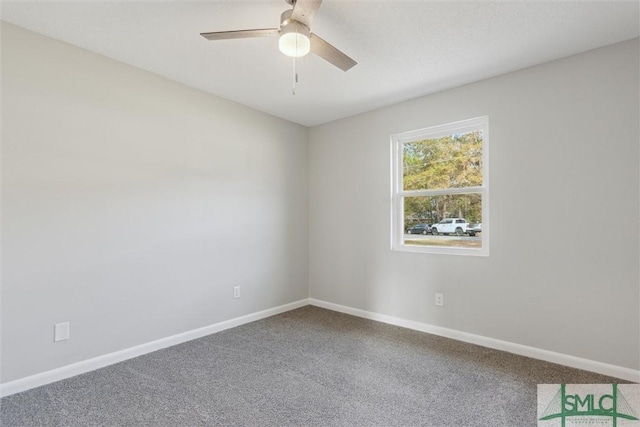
{"type": "Point", "coordinates": [453, 161]}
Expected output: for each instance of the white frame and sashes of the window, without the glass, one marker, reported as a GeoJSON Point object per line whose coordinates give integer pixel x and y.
{"type": "Point", "coordinates": [398, 194]}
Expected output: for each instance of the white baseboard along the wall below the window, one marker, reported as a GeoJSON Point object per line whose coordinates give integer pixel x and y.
{"type": "Point", "coordinates": [522, 350]}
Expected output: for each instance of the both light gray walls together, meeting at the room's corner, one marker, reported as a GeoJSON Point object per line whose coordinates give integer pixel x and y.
{"type": "Point", "coordinates": [132, 205]}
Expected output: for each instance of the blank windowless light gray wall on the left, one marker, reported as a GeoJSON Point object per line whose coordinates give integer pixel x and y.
{"type": "Point", "coordinates": [132, 205]}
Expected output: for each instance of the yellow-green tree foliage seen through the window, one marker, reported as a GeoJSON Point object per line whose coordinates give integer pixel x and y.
{"type": "Point", "coordinates": [453, 161]}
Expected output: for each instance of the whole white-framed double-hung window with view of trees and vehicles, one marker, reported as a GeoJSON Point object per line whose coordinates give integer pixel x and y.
{"type": "Point", "coordinates": [440, 191]}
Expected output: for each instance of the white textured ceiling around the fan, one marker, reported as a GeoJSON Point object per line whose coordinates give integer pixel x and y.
{"type": "Point", "coordinates": [404, 49]}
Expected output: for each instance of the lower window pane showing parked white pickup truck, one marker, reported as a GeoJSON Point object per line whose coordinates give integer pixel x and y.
{"type": "Point", "coordinates": [448, 220]}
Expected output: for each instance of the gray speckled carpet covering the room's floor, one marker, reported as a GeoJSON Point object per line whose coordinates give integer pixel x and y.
{"type": "Point", "coordinates": [307, 367]}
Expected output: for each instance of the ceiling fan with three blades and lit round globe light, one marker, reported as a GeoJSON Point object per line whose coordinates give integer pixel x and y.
{"type": "Point", "coordinates": [296, 38]}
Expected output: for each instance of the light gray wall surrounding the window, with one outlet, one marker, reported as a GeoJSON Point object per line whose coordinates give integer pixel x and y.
{"type": "Point", "coordinates": [563, 273]}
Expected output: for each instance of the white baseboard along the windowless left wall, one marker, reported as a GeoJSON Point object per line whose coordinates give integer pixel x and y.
{"type": "Point", "coordinates": [84, 366]}
